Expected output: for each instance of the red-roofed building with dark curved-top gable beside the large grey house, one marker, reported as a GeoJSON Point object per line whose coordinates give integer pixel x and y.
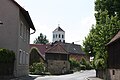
{"type": "Point", "coordinates": [37, 52]}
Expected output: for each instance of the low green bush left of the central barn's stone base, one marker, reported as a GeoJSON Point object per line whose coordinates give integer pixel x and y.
{"type": "Point", "coordinates": [37, 68]}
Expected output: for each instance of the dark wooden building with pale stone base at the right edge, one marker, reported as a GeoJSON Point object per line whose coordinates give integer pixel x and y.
{"type": "Point", "coordinates": [113, 48]}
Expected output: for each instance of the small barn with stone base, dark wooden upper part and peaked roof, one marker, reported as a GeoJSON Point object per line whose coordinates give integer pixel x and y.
{"type": "Point", "coordinates": [57, 59]}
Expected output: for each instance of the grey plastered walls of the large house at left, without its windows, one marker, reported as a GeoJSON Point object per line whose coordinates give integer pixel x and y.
{"type": "Point", "coordinates": [10, 37]}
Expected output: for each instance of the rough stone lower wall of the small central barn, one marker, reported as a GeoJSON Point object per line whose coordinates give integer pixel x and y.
{"type": "Point", "coordinates": [58, 66]}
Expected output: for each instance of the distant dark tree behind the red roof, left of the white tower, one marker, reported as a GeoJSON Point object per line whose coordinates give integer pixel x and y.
{"type": "Point", "coordinates": [41, 39]}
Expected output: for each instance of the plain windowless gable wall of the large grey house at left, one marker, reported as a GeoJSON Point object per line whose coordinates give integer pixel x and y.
{"type": "Point", "coordinates": [9, 29]}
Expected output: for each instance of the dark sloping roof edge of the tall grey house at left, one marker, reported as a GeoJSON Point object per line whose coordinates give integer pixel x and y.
{"type": "Point", "coordinates": [25, 14]}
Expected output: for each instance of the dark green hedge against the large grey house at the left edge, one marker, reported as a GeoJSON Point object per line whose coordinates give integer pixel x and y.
{"type": "Point", "coordinates": [7, 58]}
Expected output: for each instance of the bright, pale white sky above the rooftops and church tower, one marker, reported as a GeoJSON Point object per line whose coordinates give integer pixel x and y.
{"type": "Point", "coordinates": [74, 16]}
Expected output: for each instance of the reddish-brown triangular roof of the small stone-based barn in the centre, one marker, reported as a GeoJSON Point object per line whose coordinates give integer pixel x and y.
{"type": "Point", "coordinates": [57, 48]}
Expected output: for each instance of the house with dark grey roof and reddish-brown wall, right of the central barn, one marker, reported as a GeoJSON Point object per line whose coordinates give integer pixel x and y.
{"type": "Point", "coordinates": [75, 51]}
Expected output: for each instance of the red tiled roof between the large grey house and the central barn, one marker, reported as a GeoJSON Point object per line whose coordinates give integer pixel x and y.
{"type": "Point", "coordinates": [41, 47]}
